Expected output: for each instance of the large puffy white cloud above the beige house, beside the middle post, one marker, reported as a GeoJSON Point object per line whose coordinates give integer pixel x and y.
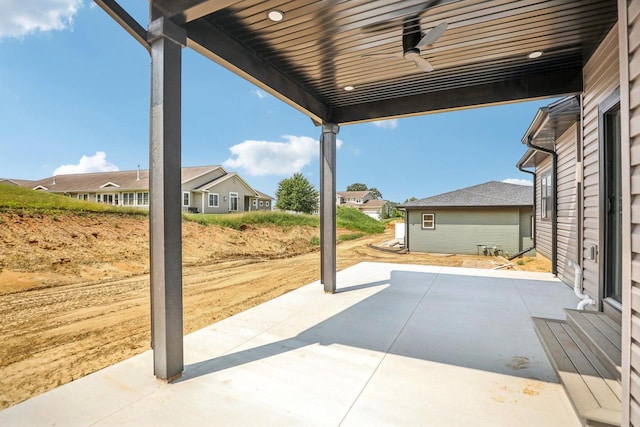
{"type": "Point", "coordinates": [260, 158]}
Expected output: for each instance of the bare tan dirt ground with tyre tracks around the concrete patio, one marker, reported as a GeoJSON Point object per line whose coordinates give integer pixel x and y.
{"type": "Point", "coordinates": [74, 289]}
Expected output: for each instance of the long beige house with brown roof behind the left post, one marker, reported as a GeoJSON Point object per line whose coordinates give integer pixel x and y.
{"type": "Point", "coordinates": [205, 189]}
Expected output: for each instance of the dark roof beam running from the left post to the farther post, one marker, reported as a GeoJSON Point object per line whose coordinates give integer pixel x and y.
{"type": "Point", "coordinates": [216, 45]}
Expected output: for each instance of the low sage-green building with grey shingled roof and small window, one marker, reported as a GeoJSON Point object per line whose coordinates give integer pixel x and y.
{"type": "Point", "coordinates": [466, 221]}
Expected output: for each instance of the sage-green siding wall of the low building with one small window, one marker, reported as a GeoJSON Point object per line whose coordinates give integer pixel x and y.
{"type": "Point", "coordinates": [459, 230]}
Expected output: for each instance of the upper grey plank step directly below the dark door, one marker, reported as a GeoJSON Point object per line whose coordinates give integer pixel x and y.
{"type": "Point", "coordinates": [601, 334]}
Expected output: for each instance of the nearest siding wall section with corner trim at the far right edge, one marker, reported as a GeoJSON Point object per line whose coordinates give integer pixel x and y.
{"type": "Point", "coordinates": [630, 113]}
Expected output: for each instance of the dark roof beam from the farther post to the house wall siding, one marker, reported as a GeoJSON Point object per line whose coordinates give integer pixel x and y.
{"type": "Point", "coordinates": [556, 82]}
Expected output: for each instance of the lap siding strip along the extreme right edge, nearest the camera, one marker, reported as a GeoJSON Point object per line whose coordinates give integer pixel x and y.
{"type": "Point", "coordinates": [633, 40]}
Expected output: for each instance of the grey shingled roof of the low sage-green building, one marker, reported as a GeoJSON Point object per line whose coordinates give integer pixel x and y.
{"type": "Point", "coordinates": [492, 193]}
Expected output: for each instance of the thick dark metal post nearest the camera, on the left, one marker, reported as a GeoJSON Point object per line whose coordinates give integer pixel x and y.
{"type": "Point", "coordinates": [165, 221]}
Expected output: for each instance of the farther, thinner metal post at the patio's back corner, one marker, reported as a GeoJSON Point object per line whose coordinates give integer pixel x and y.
{"type": "Point", "coordinates": [328, 206]}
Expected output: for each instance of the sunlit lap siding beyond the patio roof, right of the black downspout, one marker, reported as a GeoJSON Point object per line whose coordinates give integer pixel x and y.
{"type": "Point", "coordinates": [568, 243]}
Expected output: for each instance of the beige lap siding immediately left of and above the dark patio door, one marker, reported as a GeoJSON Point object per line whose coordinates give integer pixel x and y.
{"type": "Point", "coordinates": [601, 78]}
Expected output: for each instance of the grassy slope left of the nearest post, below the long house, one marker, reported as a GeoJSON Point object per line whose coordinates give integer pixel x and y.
{"type": "Point", "coordinates": [27, 200]}
